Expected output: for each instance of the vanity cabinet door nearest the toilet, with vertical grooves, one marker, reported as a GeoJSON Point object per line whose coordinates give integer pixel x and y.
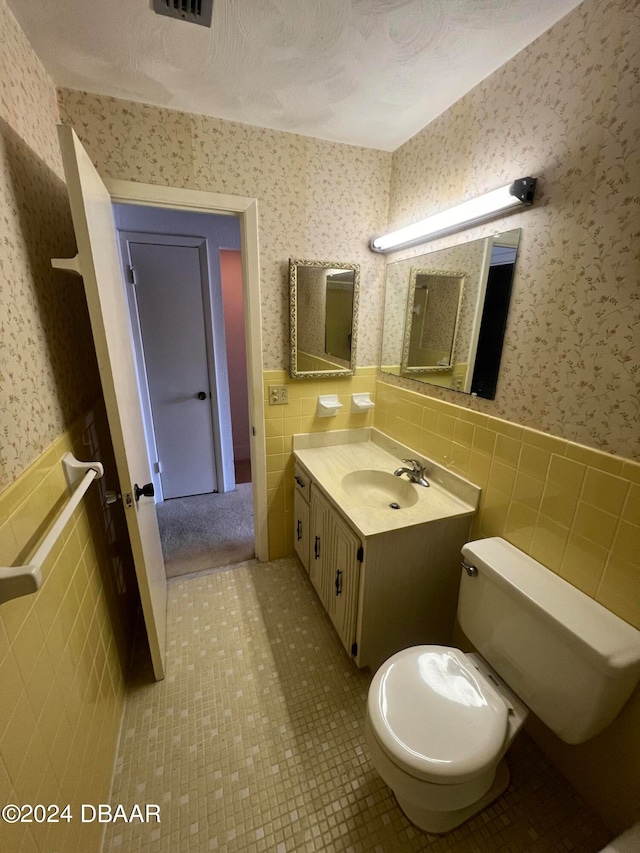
{"type": "Point", "coordinates": [343, 553]}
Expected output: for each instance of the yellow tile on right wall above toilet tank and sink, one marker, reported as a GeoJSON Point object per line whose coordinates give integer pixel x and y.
{"type": "Point", "coordinates": [575, 509]}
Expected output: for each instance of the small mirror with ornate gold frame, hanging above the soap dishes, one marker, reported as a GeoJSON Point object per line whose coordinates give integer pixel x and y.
{"type": "Point", "coordinates": [336, 366]}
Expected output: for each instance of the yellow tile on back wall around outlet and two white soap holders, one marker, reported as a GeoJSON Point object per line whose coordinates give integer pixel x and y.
{"type": "Point", "coordinates": [282, 422]}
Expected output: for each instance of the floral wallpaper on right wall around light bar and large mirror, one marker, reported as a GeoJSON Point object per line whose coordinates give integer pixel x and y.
{"type": "Point", "coordinates": [564, 110]}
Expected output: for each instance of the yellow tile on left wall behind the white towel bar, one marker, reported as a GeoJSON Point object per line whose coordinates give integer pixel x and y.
{"type": "Point", "coordinates": [61, 655]}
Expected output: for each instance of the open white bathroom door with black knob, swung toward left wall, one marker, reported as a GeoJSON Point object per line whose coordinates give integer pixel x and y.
{"type": "Point", "coordinates": [99, 265]}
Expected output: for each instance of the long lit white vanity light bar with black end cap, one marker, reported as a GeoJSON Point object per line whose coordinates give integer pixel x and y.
{"type": "Point", "coordinates": [504, 200]}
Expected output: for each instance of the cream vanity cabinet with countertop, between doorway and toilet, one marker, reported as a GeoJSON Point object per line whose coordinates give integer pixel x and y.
{"type": "Point", "coordinates": [387, 589]}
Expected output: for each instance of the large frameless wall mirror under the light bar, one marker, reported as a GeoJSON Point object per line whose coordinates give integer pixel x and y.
{"type": "Point", "coordinates": [486, 268]}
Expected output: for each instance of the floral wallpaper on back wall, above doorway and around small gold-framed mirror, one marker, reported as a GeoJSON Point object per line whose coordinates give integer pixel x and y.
{"type": "Point", "coordinates": [316, 199]}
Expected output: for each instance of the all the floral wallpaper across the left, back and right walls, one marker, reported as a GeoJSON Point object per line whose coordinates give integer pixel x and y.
{"type": "Point", "coordinates": [564, 110]}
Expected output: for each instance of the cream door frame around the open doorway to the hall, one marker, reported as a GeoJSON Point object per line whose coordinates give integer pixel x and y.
{"type": "Point", "coordinates": [246, 209]}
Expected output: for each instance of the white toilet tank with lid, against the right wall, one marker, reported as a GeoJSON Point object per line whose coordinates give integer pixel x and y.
{"type": "Point", "coordinates": [572, 661]}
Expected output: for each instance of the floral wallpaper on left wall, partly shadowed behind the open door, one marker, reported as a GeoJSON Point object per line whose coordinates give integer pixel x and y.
{"type": "Point", "coordinates": [48, 374]}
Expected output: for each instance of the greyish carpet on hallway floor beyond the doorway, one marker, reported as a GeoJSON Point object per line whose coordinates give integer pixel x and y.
{"type": "Point", "coordinates": [206, 531]}
